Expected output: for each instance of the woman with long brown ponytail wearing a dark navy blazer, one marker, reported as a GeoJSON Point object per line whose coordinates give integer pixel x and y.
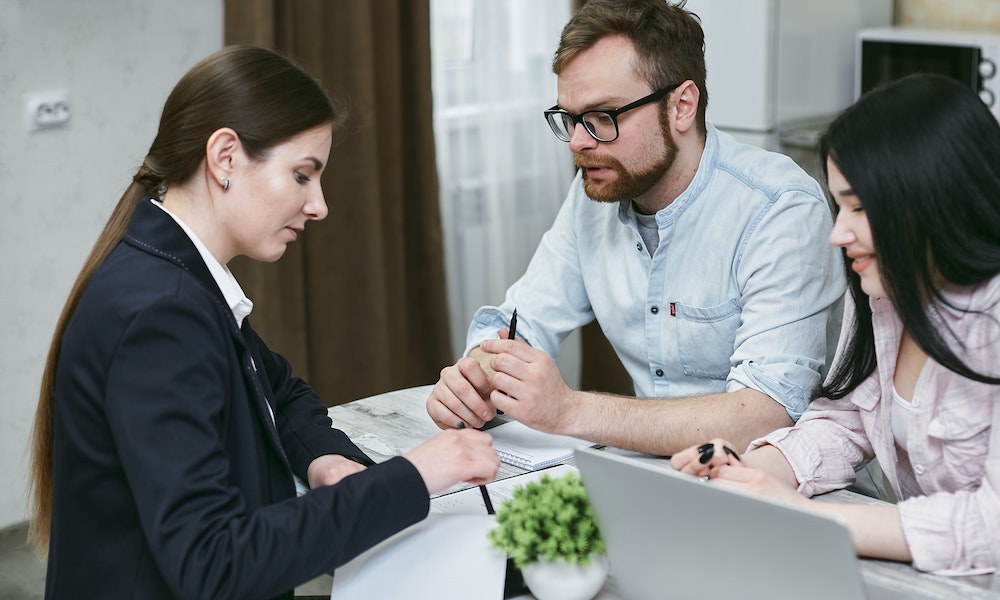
{"type": "Point", "coordinates": [167, 433]}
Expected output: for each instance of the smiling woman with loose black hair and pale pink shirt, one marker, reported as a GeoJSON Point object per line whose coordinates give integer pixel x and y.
{"type": "Point", "coordinates": [913, 168]}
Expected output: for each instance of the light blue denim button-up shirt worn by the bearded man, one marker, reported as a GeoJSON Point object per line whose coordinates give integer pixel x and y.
{"type": "Point", "coordinates": [744, 289]}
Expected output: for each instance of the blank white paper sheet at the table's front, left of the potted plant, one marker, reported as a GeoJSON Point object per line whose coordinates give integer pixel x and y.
{"type": "Point", "coordinates": [444, 557]}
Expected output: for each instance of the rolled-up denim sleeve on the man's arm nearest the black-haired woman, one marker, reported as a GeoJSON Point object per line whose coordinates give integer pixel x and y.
{"type": "Point", "coordinates": [792, 287]}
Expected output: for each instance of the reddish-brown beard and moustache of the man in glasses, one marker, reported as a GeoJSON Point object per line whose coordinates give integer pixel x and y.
{"type": "Point", "coordinates": [627, 185]}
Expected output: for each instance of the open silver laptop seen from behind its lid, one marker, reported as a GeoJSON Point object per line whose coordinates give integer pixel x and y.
{"type": "Point", "coordinates": [671, 535]}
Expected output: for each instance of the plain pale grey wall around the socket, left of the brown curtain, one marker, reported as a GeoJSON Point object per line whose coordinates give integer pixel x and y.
{"type": "Point", "coordinates": [118, 59]}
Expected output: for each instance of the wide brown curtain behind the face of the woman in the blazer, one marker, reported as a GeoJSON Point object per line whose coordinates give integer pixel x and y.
{"type": "Point", "coordinates": [358, 304]}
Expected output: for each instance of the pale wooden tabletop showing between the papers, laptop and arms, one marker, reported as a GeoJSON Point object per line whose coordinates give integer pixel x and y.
{"type": "Point", "coordinates": [395, 422]}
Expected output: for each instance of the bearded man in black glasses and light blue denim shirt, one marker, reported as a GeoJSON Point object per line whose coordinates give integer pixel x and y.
{"type": "Point", "coordinates": [704, 260]}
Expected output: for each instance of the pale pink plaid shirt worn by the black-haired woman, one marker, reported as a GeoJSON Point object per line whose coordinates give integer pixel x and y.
{"type": "Point", "coordinates": [949, 482]}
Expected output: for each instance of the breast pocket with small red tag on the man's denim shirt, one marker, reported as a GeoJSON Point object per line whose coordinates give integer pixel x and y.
{"type": "Point", "coordinates": [705, 337]}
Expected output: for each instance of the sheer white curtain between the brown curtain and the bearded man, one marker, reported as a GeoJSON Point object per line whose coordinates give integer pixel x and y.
{"type": "Point", "coordinates": [503, 175]}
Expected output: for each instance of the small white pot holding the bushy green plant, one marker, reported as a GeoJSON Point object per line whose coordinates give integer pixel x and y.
{"type": "Point", "coordinates": [559, 580]}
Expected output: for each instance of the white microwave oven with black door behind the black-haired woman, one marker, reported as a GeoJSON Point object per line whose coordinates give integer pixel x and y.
{"type": "Point", "coordinates": [887, 53]}
